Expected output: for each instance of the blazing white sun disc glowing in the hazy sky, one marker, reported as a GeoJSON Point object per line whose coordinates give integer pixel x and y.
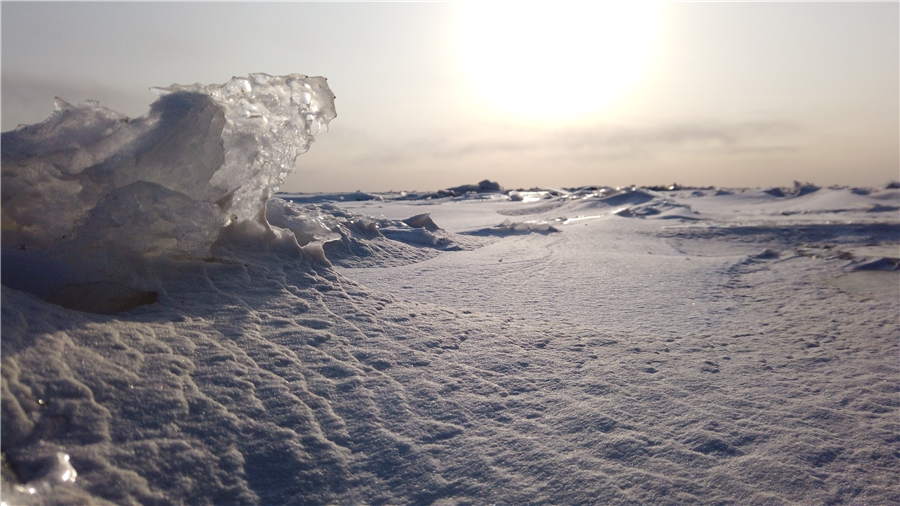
{"type": "Point", "coordinates": [560, 60]}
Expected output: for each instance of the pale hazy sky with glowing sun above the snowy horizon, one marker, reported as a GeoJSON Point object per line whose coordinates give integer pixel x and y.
{"type": "Point", "coordinates": [432, 95]}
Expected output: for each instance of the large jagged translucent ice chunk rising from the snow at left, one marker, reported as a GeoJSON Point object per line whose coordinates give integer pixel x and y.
{"type": "Point", "coordinates": [203, 158]}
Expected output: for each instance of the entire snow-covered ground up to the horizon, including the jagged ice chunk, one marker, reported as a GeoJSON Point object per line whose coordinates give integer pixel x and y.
{"type": "Point", "coordinates": [465, 346]}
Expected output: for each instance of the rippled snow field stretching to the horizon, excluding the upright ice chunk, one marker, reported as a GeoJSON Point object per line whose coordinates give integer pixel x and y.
{"type": "Point", "coordinates": [738, 355]}
